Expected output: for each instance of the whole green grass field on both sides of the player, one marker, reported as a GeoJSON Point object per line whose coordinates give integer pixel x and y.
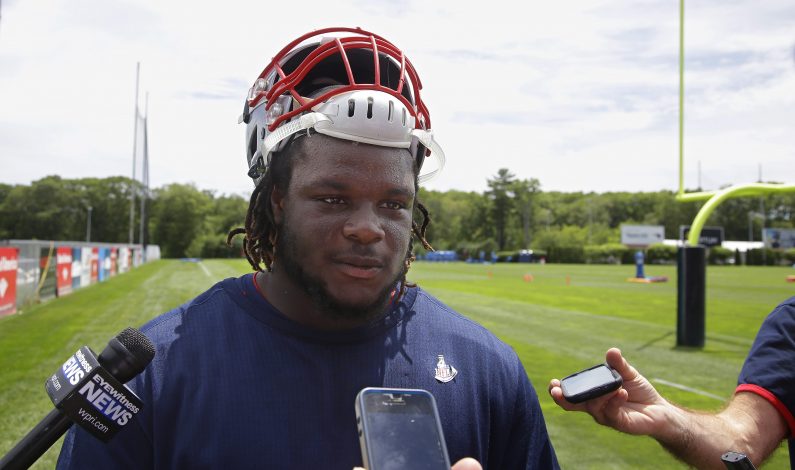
{"type": "Point", "coordinates": [561, 321]}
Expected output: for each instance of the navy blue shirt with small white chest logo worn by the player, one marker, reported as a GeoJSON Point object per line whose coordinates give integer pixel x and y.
{"type": "Point", "coordinates": [236, 384]}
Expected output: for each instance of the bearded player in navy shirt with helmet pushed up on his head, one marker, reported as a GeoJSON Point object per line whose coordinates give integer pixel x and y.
{"type": "Point", "coordinates": [262, 371]}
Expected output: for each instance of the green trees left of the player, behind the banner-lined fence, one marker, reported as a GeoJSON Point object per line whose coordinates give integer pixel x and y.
{"type": "Point", "coordinates": [182, 219]}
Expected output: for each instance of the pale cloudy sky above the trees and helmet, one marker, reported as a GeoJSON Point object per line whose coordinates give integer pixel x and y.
{"type": "Point", "coordinates": [582, 95]}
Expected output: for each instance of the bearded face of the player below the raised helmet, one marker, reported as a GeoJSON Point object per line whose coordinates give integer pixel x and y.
{"type": "Point", "coordinates": [345, 224]}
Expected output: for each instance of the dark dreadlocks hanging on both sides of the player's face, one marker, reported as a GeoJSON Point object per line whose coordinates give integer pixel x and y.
{"type": "Point", "coordinates": [261, 231]}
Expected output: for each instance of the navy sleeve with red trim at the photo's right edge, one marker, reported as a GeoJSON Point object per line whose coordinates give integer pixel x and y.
{"type": "Point", "coordinates": [769, 369]}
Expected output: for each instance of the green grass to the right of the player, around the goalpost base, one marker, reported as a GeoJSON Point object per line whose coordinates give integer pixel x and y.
{"type": "Point", "coordinates": [569, 315]}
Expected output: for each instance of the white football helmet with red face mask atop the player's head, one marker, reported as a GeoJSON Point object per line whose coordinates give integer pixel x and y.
{"type": "Point", "coordinates": [343, 82]}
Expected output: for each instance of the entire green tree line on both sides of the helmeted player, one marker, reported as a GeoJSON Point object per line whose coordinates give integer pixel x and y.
{"type": "Point", "coordinates": [511, 214]}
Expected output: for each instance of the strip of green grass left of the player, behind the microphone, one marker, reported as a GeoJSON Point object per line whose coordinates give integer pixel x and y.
{"type": "Point", "coordinates": [35, 343]}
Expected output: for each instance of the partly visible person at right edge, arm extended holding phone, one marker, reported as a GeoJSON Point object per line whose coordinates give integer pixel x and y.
{"type": "Point", "coordinates": [754, 422]}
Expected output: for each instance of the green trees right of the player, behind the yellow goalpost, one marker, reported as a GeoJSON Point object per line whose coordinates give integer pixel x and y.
{"type": "Point", "coordinates": [516, 214]}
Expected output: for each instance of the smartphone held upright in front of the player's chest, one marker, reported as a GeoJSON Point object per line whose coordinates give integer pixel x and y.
{"type": "Point", "coordinates": [400, 429]}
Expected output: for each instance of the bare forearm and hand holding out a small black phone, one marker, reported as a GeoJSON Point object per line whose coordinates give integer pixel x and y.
{"type": "Point", "coordinates": [749, 424]}
